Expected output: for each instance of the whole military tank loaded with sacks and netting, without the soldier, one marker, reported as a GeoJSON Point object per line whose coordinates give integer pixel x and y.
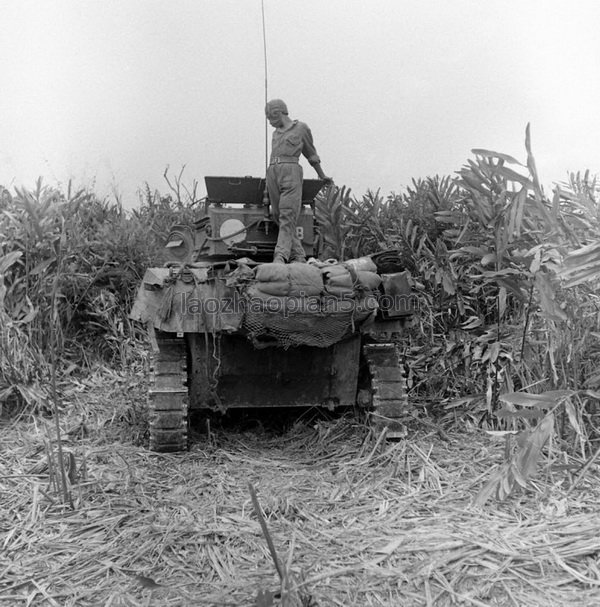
{"type": "Point", "coordinates": [228, 329]}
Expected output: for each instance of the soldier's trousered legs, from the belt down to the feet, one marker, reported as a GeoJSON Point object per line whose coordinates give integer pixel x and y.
{"type": "Point", "coordinates": [284, 184]}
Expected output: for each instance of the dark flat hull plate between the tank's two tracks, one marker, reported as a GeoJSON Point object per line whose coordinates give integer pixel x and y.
{"type": "Point", "coordinates": [228, 372]}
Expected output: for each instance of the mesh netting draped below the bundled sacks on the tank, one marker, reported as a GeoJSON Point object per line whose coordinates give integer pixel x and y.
{"type": "Point", "coordinates": [310, 321]}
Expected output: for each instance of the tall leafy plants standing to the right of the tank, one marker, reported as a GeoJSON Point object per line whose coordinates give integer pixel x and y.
{"type": "Point", "coordinates": [509, 302]}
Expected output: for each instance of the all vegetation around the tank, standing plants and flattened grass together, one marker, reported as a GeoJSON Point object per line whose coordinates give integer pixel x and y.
{"type": "Point", "coordinates": [500, 362]}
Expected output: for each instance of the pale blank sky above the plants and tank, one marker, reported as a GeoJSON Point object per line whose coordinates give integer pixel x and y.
{"type": "Point", "coordinates": [110, 92]}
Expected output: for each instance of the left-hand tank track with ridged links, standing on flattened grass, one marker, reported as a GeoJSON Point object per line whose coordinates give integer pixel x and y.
{"type": "Point", "coordinates": [168, 395]}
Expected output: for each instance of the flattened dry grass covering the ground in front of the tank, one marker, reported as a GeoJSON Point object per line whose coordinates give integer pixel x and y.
{"type": "Point", "coordinates": [355, 521]}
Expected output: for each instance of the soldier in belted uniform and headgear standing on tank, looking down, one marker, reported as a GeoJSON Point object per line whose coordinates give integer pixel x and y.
{"type": "Point", "coordinates": [284, 177]}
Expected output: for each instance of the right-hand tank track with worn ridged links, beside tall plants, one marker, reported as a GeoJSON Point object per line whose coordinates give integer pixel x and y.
{"type": "Point", "coordinates": [389, 397]}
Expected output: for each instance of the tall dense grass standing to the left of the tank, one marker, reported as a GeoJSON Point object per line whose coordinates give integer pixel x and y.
{"type": "Point", "coordinates": [103, 253]}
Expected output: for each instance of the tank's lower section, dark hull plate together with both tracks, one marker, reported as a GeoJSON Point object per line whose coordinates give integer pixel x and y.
{"type": "Point", "coordinates": [216, 373]}
